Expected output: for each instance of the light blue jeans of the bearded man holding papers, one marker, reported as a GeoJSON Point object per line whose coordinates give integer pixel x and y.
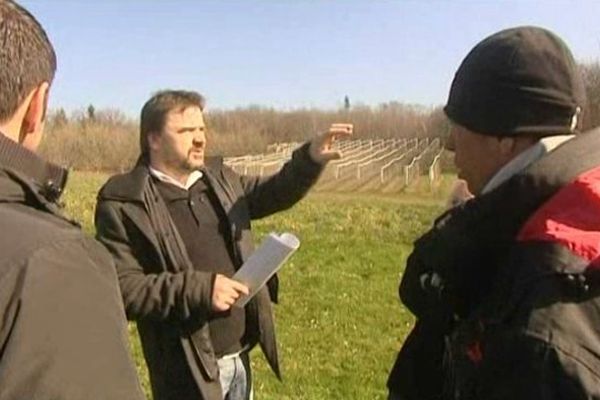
{"type": "Point", "coordinates": [234, 374]}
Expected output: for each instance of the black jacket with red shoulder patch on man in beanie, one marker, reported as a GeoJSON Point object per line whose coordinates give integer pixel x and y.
{"type": "Point", "coordinates": [506, 292]}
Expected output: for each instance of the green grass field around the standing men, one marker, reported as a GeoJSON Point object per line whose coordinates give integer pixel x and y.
{"type": "Point", "coordinates": [339, 321]}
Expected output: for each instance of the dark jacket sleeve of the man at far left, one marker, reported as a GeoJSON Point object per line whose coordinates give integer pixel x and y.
{"type": "Point", "coordinates": [68, 337]}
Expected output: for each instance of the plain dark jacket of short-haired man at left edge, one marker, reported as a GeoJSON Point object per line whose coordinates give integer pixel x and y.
{"type": "Point", "coordinates": [62, 331]}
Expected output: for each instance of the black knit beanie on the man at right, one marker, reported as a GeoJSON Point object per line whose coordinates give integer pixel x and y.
{"type": "Point", "coordinates": [519, 81]}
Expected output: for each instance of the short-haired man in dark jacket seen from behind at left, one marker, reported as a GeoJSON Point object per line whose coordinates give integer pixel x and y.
{"type": "Point", "coordinates": [63, 332]}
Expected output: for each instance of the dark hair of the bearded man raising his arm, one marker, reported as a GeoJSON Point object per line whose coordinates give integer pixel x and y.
{"type": "Point", "coordinates": [154, 112]}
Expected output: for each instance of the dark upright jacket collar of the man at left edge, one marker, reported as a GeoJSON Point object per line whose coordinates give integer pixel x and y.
{"type": "Point", "coordinates": [43, 178]}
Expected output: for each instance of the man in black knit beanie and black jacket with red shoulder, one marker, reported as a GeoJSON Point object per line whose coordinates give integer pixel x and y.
{"type": "Point", "coordinates": [506, 286]}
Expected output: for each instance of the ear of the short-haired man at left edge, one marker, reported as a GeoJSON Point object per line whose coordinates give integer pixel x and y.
{"type": "Point", "coordinates": [32, 127]}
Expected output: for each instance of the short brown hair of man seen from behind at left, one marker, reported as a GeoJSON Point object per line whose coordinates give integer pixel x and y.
{"type": "Point", "coordinates": [27, 57]}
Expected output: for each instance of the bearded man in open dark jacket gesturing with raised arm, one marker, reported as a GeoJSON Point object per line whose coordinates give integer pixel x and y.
{"type": "Point", "coordinates": [179, 227]}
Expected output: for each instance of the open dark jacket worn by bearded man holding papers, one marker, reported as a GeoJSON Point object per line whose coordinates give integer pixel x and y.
{"type": "Point", "coordinates": [169, 299]}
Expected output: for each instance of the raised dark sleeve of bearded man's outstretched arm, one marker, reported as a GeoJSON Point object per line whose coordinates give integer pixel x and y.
{"type": "Point", "coordinates": [278, 192]}
